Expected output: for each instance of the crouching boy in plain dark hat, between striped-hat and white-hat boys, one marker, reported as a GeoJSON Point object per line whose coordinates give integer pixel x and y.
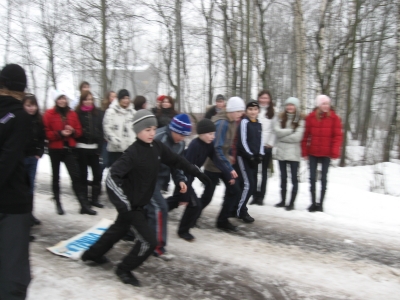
{"type": "Point", "coordinates": [197, 153]}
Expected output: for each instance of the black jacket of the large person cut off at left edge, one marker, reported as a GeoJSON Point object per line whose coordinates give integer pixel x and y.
{"type": "Point", "coordinates": [14, 135]}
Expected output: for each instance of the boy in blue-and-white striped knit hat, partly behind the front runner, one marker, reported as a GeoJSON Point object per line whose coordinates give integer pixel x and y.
{"type": "Point", "coordinates": [157, 210]}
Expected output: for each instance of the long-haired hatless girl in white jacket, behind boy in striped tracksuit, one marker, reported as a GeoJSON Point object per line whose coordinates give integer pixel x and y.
{"type": "Point", "coordinates": [267, 118]}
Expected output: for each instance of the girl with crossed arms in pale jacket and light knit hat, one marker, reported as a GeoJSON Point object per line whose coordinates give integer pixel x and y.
{"type": "Point", "coordinates": [289, 131]}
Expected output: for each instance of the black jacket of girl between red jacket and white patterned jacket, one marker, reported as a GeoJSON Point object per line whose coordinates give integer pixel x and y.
{"type": "Point", "coordinates": [92, 127]}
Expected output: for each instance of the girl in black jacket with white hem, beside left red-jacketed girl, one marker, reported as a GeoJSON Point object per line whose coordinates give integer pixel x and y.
{"type": "Point", "coordinates": [89, 145]}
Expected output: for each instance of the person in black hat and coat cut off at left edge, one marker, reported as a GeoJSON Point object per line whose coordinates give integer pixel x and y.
{"type": "Point", "coordinates": [15, 199]}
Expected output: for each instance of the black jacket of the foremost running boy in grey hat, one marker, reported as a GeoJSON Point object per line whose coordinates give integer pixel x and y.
{"type": "Point", "coordinates": [133, 177]}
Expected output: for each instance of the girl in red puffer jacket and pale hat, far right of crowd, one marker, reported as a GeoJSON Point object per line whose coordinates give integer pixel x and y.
{"type": "Point", "coordinates": [321, 143]}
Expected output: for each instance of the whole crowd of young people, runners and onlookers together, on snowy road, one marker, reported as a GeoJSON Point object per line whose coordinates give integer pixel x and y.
{"type": "Point", "coordinates": [143, 149]}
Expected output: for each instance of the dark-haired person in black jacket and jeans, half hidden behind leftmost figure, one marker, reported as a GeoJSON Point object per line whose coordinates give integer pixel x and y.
{"type": "Point", "coordinates": [35, 147]}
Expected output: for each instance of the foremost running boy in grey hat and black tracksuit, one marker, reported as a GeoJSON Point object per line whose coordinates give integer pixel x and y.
{"type": "Point", "coordinates": [130, 185]}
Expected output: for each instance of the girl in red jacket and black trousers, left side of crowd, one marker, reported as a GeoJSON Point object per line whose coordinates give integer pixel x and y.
{"type": "Point", "coordinates": [62, 127]}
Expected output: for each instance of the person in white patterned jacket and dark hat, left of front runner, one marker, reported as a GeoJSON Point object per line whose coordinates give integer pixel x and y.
{"type": "Point", "coordinates": [118, 126]}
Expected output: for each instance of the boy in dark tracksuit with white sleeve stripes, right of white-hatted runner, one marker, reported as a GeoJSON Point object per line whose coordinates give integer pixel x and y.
{"type": "Point", "coordinates": [250, 152]}
